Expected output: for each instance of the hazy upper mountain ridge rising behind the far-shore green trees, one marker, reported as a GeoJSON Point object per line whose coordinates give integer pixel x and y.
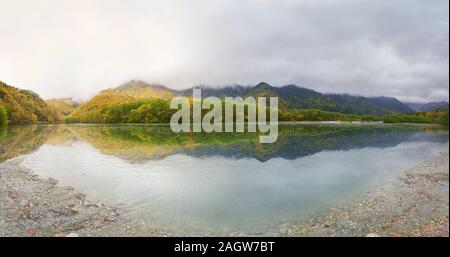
{"type": "Point", "coordinates": [290, 97]}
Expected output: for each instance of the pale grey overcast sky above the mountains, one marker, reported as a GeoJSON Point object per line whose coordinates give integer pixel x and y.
{"type": "Point", "coordinates": [74, 48]}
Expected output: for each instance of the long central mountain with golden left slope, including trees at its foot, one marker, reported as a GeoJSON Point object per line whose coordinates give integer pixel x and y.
{"type": "Point", "coordinates": [139, 102]}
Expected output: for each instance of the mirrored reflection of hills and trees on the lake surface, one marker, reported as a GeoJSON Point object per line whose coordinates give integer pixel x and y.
{"type": "Point", "coordinates": [136, 143]}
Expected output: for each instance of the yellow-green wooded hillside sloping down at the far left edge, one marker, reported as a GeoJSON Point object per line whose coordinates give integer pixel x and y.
{"type": "Point", "coordinates": [24, 106]}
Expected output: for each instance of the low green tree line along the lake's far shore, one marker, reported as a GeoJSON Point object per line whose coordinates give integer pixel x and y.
{"type": "Point", "coordinates": [158, 111]}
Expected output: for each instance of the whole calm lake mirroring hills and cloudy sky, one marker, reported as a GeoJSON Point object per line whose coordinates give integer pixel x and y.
{"type": "Point", "coordinates": [214, 183]}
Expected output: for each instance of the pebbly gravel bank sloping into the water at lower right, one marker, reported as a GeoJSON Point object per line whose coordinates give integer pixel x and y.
{"type": "Point", "coordinates": [414, 204]}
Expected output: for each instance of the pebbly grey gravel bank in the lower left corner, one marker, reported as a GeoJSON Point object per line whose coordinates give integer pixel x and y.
{"type": "Point", "coordinates": [32, 206]}
